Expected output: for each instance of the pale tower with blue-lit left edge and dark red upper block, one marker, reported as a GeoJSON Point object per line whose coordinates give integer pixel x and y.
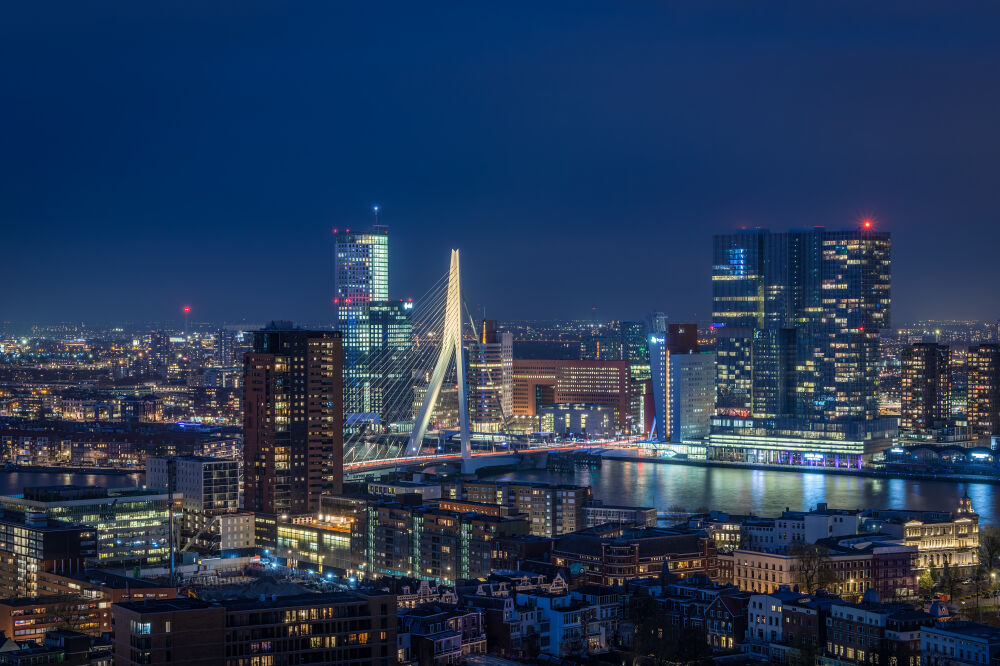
{"type": "Point", "coordinates": [683, 384]}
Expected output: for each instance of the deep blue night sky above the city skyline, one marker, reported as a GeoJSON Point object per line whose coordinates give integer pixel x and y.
{"type": "Point", "coordinates": [580, 154]}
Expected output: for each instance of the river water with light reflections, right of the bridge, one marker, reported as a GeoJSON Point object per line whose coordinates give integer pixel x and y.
{"type": "Point", "coordinates": [763, 492]}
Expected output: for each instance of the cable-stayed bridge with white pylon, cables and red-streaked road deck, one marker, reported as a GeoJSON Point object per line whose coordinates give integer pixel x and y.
{"type": "Point", "coordinates": [419, 394]}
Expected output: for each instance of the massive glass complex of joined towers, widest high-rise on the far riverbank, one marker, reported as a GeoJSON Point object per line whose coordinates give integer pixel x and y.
{"type": "Point", "coordinates": [797, 318]}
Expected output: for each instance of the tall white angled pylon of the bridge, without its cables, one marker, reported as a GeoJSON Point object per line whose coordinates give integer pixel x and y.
{"type": "Point", "coordinates": [451, 348]}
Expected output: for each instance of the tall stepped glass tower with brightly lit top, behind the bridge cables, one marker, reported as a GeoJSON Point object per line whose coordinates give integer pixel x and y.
{"type": "Point", "coordinates": [376, 332]}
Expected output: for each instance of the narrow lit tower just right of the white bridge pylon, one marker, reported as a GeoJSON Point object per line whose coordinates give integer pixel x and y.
{"type": "Point", "coordinates": [491, 373]}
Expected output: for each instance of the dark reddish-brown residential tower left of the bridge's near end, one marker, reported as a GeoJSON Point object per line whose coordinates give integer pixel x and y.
{"type": "Point", "coordinates": [293, 442]}
